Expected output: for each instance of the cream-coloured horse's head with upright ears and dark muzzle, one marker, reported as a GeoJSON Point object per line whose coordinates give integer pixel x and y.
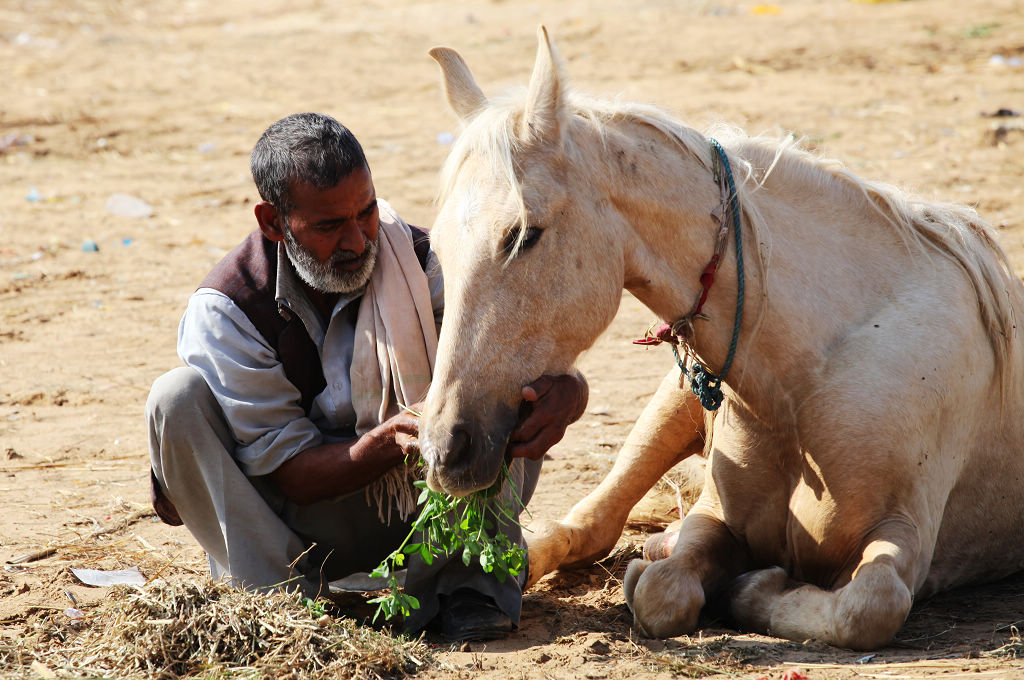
{"type": "Point", "coordinates": [533, 267]}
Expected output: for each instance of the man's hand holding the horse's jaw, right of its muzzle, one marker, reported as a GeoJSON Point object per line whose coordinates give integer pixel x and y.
{"type": "Point", "coordinates": [554, 402]}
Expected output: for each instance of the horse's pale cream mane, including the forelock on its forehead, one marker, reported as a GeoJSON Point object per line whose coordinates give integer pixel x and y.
{"type": "Point", "coordinates": [954, 232]}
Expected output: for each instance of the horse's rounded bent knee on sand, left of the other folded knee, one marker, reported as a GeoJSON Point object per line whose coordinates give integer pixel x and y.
{"type": "Point", "coordinates": [666, 601]}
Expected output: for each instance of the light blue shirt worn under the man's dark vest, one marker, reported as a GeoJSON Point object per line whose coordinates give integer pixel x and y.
{"type": "Point", "coordinates": [261, 404]}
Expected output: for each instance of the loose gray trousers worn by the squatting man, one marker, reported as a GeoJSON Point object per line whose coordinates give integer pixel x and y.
{"type": "Point", "coordinates": [257, 538]}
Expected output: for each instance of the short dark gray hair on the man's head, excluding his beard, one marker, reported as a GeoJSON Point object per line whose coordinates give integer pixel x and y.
{"type": "Point", "coordinates": [310, 148]}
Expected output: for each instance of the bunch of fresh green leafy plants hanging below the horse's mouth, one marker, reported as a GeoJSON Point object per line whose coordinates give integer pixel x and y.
{"type": "Point", "coordinates": [448, 526]}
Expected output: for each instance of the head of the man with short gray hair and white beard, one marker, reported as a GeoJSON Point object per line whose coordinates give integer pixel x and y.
{"type": "Point", "coordinates": [319, 199]}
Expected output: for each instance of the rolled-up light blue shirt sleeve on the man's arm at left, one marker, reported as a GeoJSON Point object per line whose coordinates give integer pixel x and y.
{"type": "Point", "coordinates": [261, 404]}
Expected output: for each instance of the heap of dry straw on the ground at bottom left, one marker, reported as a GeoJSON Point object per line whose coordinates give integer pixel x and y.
{"type": "Point", "coordinates": [212, 630]}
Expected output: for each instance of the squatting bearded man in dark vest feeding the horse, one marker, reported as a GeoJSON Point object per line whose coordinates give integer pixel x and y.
{"type": "Point", "coordinates": [283, 444]}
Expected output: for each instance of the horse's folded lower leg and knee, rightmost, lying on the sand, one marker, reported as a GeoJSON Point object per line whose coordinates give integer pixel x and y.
{"type": "Point", "coordinates": [863, 615]}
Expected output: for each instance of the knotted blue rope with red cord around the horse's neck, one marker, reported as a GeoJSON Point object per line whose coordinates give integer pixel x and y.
{"type": "Point", "coordinates": [707, 386]}
